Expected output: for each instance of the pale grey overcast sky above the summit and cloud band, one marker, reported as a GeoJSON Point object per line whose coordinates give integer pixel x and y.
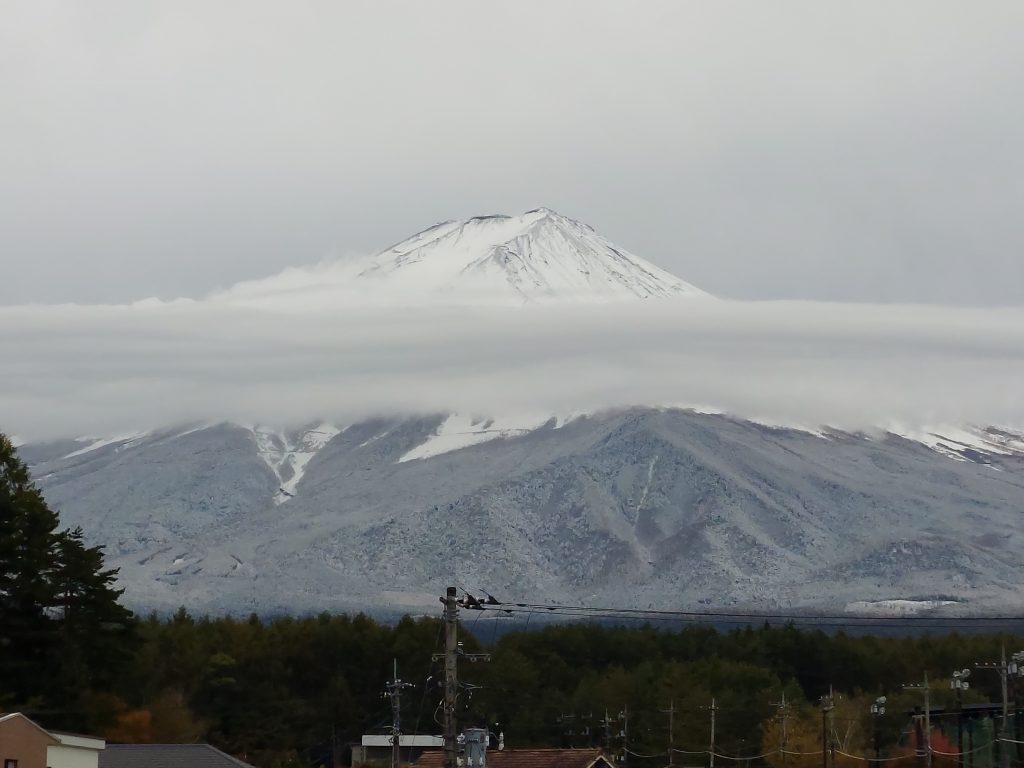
{"type": "Point", "coordinates": [870, 151]}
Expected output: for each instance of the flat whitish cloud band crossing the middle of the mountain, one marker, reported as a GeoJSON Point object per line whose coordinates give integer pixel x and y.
{"type": "Point", "coordinates": [99, 371]}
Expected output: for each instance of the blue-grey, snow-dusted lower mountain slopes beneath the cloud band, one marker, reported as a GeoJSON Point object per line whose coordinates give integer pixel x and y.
{"type": "Point", "coordinates": [662, 507]}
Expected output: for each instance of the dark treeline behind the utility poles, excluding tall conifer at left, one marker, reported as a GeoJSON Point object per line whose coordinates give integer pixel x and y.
{"type": "Point", "coordinates": [290, 691]}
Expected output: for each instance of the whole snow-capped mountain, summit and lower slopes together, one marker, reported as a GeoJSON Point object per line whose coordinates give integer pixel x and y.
{"type": "Point", "coordinates": [627, 505]}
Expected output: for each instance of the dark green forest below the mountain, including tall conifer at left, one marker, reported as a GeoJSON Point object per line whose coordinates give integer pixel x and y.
{"type": "Point", "coordinates": [293, 692]}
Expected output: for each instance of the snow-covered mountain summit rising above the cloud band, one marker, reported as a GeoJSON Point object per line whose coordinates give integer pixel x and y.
{"type": "Point", "coordinates": [536, 258]}
